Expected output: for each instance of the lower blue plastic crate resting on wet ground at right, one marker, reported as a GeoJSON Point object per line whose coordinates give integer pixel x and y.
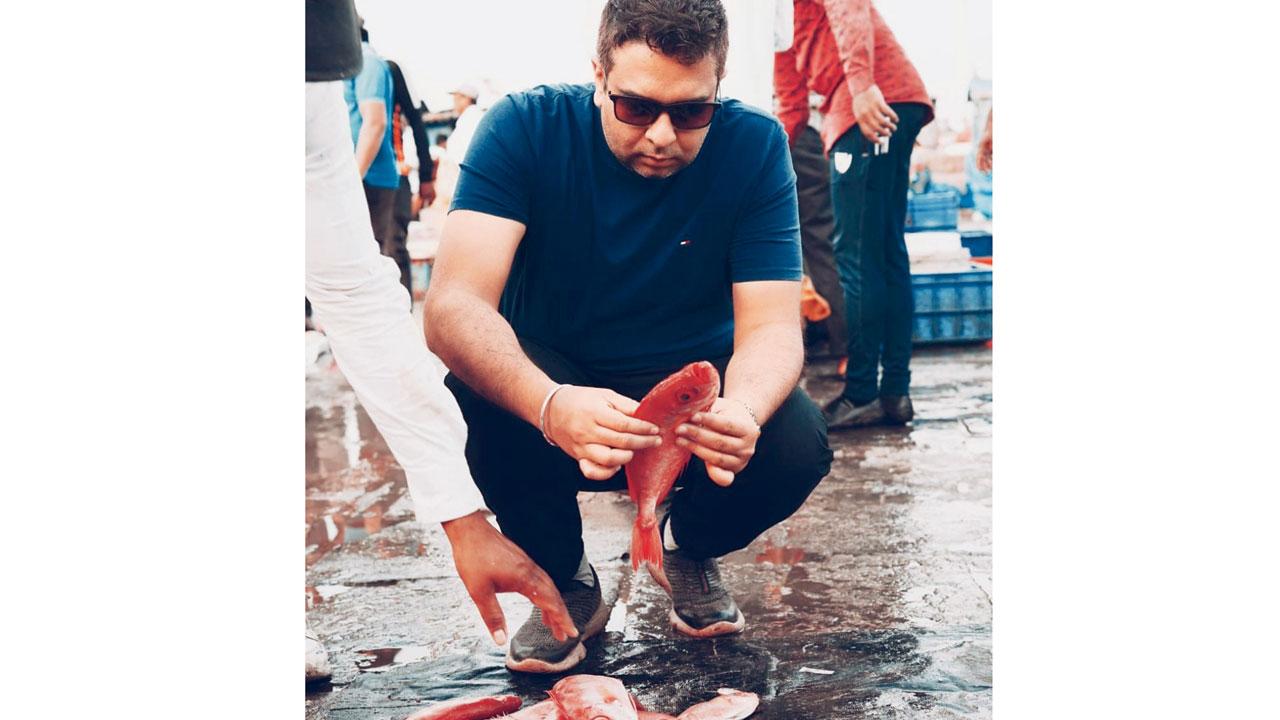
{"type": "Point", "coordinates": [953, 307]}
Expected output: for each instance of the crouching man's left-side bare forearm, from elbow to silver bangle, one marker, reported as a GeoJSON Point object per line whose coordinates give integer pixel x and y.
{"type": "Point", "coordinates": [479, 347]}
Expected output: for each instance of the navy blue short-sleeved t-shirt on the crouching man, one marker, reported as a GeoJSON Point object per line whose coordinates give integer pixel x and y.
{"type": "Point", "coordinates": [619, 272]}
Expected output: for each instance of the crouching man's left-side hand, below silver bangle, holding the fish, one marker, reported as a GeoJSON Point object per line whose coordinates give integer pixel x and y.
{"type": "Point", "coordinates": [595, 426]}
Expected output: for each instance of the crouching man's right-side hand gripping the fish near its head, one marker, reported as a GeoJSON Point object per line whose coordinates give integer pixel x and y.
{"type": "Point", "coordinates": [725, 439]}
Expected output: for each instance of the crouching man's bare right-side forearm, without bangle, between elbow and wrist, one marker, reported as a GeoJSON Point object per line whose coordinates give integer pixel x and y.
{"type": "Point", "coordinates": [765, 368]}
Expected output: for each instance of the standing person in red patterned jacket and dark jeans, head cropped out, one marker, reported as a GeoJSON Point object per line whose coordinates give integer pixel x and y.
{"type": "Point", "coordinates": [872, 93]}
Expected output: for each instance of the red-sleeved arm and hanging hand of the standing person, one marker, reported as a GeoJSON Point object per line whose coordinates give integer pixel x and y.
{"type": "Point", "coordinates": [856, 40]}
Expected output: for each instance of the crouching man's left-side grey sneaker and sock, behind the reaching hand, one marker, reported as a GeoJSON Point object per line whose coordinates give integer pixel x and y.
{"type": "Point", "coordinates": [534, 650]}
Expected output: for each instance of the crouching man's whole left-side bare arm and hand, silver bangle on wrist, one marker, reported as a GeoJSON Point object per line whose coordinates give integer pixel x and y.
{"type": "Point", "coordinates": [478, 345]}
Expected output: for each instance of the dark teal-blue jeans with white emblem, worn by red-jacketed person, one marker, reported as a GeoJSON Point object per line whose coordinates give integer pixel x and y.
{"type": "Point", "coordinates": [868, 194]}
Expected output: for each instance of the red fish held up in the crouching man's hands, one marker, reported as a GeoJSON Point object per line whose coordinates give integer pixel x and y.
{"type": "Point", "coordinates": [653, 471]}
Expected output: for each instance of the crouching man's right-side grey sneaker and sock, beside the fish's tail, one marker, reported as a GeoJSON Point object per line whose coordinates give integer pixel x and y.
{"type": "Point", "coordinates": [702, 608]}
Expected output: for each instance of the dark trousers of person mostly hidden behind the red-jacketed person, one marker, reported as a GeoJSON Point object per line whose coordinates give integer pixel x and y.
{"type": "Point", "coordinates": [817, 224]}
